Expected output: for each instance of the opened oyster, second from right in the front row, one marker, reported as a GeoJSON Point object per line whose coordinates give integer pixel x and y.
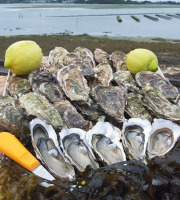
{"type": "Point", "coordinates": [135, 135]}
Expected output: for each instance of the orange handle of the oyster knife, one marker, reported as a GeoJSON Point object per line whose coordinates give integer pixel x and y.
{"type": "Point", "coordinates": [13, 148]}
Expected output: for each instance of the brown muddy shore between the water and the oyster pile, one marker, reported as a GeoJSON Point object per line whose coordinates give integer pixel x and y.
{"type": "Point", "coordinates": [167, 51]}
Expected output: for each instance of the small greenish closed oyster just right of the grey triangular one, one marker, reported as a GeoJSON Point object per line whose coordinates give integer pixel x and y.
{"type": "Point", "coordinates": [135, 107]}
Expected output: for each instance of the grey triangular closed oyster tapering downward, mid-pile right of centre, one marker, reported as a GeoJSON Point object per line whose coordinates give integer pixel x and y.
{"type": "Point", "coordinates": [112, 100]}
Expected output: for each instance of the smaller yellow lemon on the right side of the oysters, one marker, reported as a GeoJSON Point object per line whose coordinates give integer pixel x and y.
{"type": "Point", "coordinates": [141, 60]}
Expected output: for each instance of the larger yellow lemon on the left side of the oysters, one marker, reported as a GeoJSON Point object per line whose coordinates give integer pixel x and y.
{"type": "Point", "coordinates": [23, 57]}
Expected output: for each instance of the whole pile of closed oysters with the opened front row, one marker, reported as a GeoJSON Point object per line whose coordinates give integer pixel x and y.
{"type": "Point", "coordinates": [83, 109]}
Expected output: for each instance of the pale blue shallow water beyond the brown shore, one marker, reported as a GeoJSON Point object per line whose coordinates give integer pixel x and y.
{"type": "Point", "coordinates": [17, 19]}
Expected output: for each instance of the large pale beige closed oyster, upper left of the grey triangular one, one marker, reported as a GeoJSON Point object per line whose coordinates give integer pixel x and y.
{"type": "Point", "coordinates": [73, 83]}
